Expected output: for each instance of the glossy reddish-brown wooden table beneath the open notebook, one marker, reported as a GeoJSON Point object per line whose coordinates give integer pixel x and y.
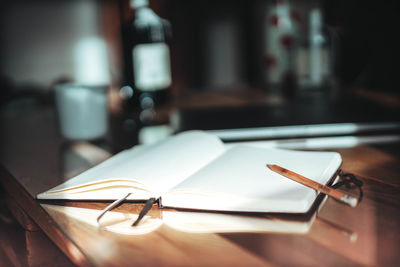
{"type": "Point", "coordinates": [31, 153]}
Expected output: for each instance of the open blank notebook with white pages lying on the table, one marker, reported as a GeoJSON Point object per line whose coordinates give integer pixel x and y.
{"type": "Point", "coordinates": [194, 170]}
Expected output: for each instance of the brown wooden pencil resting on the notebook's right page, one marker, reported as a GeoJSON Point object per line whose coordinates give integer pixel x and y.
{"type": "Point", "coordinates": [349, 200]}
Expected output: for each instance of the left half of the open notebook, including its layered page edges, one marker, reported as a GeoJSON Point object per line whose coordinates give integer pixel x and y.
{"type": "Point", "coordinates": [146, 171]}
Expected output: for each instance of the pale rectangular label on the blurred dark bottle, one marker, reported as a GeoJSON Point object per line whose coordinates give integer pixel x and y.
{"type": "Point", "coordinates": [151, 66]}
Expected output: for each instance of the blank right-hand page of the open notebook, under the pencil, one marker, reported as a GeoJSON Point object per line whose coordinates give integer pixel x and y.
{"type": "Point", "coordinates": [240, 181]}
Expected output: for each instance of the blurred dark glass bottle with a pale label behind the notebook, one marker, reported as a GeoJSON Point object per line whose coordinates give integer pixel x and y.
{"type": "Point", "coordinates": [147, 82]}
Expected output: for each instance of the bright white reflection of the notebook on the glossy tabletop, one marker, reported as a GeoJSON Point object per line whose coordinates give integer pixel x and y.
{"type": "Point", "coordinates": [190, 222]}
